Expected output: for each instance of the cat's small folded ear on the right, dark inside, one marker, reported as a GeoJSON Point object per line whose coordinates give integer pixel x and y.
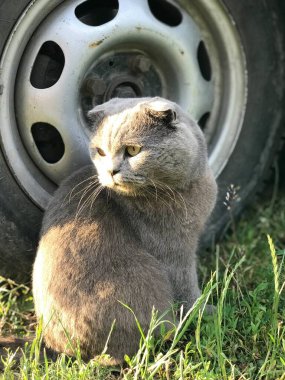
{"type": "Point", "coordinates": [162, 110]}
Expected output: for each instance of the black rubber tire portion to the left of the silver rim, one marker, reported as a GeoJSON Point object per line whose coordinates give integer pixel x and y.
{"type": "Point", "coordinates": [19, 218]}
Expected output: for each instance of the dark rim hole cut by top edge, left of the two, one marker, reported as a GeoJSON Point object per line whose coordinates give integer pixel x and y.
{"type": "Point", "coordinates": [97, 12]}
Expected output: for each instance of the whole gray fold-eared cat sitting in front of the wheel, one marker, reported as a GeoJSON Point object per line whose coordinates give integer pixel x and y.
{"type": "Point", "coordinates": [124, 230]}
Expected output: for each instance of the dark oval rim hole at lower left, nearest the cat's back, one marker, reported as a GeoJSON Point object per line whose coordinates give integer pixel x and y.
{"type": "Point", "coordinates": [48, 141]}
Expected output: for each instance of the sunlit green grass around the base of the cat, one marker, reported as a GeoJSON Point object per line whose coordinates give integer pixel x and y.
{"type": "Point", "coordinates": [244, 338]}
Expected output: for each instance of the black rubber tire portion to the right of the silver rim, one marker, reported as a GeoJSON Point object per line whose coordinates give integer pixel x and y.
{"type": "Point", "coordinates": [261, 26]}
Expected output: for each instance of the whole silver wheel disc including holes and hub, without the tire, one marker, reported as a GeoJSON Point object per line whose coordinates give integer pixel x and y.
{"type": "Point", "coordinates": [68, 56]}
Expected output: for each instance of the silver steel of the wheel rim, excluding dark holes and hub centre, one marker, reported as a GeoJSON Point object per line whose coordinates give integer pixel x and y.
{"type": "Point", "coordinates": [211, 24]}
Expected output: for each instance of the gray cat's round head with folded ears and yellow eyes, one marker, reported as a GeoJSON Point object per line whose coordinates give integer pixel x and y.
{"type": "Point", "coordinates": [143, 143]}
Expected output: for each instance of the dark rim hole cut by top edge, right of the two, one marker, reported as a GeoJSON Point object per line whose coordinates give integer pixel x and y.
{"type": "Point", "coordinates": [165, 12]}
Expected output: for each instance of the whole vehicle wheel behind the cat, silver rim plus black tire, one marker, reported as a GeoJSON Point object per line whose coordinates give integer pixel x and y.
{"type": "Point", "coordinates": [221, 61]}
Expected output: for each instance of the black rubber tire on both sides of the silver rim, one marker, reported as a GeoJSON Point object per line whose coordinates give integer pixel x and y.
{"type": "Point", "coordinates": [261, 27]}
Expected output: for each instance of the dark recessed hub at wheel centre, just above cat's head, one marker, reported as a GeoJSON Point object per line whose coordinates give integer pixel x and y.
{"type": "Point", "coordinates": [123, 75]}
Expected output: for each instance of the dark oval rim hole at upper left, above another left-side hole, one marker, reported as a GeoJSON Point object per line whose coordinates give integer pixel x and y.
{"type": "Point", "coordinates": [48, 65]}
